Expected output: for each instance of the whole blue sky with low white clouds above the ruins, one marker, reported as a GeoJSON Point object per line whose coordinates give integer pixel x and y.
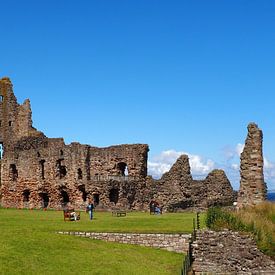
{"type": "Point", "coordinates": [181, 76]}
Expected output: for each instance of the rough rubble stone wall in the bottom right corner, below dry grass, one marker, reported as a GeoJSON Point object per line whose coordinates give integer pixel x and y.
{"type": "Point", "coordinates": [228, 252]}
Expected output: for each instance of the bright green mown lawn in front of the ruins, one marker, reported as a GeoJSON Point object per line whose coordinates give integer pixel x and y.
{"type": "Point", "coordinates": [29, 243]}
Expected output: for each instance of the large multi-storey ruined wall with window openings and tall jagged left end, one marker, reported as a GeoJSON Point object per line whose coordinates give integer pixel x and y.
{"type": "Point", "coordinates": [37, 171]}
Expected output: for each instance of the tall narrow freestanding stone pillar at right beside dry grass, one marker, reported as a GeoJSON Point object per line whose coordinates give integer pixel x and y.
{"type": "Point", "coordinates": [252, 187]}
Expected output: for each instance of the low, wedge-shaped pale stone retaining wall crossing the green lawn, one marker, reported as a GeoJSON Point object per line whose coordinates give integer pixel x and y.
{"type": "Point", "coordinates": [172, 242]}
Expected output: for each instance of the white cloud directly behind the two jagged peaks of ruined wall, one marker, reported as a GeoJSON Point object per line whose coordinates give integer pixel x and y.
{"type": "Point", "coordinates": [163, 162]}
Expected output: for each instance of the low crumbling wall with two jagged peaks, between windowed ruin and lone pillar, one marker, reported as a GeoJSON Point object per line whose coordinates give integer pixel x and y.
{"type": "Point", "coordinates": [177, 190]}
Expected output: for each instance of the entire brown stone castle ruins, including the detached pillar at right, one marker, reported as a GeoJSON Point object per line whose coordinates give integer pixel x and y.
{"type": "Point", "coordinates": [37, 171]}
